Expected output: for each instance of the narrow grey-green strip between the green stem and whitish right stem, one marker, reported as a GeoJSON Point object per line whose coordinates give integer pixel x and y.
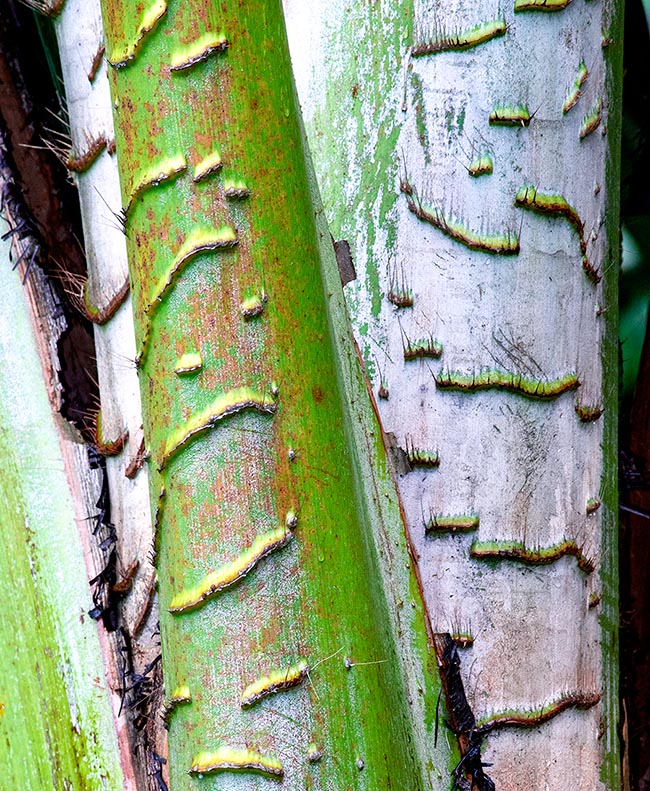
{"type": "Point", "coordinates": [388, 541]}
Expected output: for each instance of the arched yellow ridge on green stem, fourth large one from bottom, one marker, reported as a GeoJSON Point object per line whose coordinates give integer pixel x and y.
{"type": "Point", "coordinates": [236, 400]}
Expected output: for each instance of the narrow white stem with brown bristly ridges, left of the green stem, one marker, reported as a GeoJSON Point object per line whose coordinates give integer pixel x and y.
{"type": "Point", "coordinates": [133, 662]}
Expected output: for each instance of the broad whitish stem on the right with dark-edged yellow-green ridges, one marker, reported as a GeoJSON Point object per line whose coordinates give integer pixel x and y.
{"type": "Point", "coordinates": [470, 160]}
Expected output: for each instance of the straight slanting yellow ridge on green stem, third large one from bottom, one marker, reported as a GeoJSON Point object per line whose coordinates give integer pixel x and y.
{"type": "Point", "coordinates": [232, 572]}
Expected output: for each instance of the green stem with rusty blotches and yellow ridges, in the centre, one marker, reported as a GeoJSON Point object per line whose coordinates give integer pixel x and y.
{"type": "Point", "coordinates": [260, 545]}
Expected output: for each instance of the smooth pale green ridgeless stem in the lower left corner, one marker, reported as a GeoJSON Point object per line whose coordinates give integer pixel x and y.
{"type": "Point", "coordinates": [55, 721]}
